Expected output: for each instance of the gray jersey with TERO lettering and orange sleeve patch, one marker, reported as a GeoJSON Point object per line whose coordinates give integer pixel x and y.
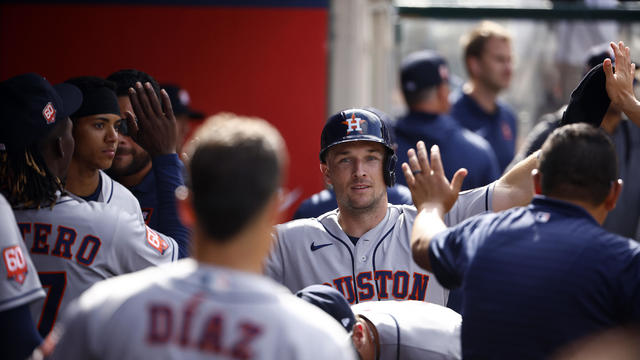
{"type": "Point", "coordinates": [78, 243]}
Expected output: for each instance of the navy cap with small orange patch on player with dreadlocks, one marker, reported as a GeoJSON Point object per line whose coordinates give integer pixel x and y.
{"type": "Point", "coordinates": [30, 107]}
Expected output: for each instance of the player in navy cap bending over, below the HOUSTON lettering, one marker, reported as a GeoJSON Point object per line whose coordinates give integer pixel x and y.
{"type": "Point", "coordinates": [392, 330]}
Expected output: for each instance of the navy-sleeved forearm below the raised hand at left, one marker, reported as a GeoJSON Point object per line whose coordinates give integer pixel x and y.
{"type": "Point", "coordinates": [168, 173]}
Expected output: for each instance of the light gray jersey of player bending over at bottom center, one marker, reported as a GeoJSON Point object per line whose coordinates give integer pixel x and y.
{"type": "Point", "coordinates": [414, 330]}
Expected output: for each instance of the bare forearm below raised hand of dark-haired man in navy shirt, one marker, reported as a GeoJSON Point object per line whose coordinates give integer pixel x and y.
{"type": "Point", "coordinates": [427, 224]}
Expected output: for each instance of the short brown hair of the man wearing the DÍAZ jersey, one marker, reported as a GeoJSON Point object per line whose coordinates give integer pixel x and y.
{"type": "Point", "coordinates": [236, 164]}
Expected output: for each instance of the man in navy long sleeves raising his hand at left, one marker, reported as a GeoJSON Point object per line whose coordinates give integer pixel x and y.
{"type": "Point", "coordinates": [148, 165]}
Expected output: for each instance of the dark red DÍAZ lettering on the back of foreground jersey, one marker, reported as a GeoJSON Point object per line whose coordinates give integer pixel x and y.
{"type": "Point", "coordinates": [213, 335]}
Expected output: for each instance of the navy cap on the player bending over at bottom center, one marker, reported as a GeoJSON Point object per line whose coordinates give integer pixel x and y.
{"type": "Point", "coordinates": [331, 301]}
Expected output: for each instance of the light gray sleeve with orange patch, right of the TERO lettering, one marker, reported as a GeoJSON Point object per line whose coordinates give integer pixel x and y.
{"type": "Point", "coordinates": [138, 246]}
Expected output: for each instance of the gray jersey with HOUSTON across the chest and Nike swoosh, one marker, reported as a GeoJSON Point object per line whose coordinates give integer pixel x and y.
{"type": "Point", "coordinates": [378, 267]}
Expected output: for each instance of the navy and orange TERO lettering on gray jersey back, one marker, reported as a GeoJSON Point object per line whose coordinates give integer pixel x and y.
{"type": "Point", "coordinates": [62, 246]}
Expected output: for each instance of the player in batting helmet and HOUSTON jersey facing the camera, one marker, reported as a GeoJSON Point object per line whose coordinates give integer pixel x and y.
{"type": "Point", "coordinates": [362, 248]}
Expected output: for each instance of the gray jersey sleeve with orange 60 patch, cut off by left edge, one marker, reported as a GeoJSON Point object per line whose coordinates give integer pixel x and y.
{"type": "Point", "coordinates": [19, 284]}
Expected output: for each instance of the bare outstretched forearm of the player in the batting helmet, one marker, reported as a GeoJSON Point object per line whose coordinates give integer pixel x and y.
{"type": "Point", "coordinates": [515, 188]}
